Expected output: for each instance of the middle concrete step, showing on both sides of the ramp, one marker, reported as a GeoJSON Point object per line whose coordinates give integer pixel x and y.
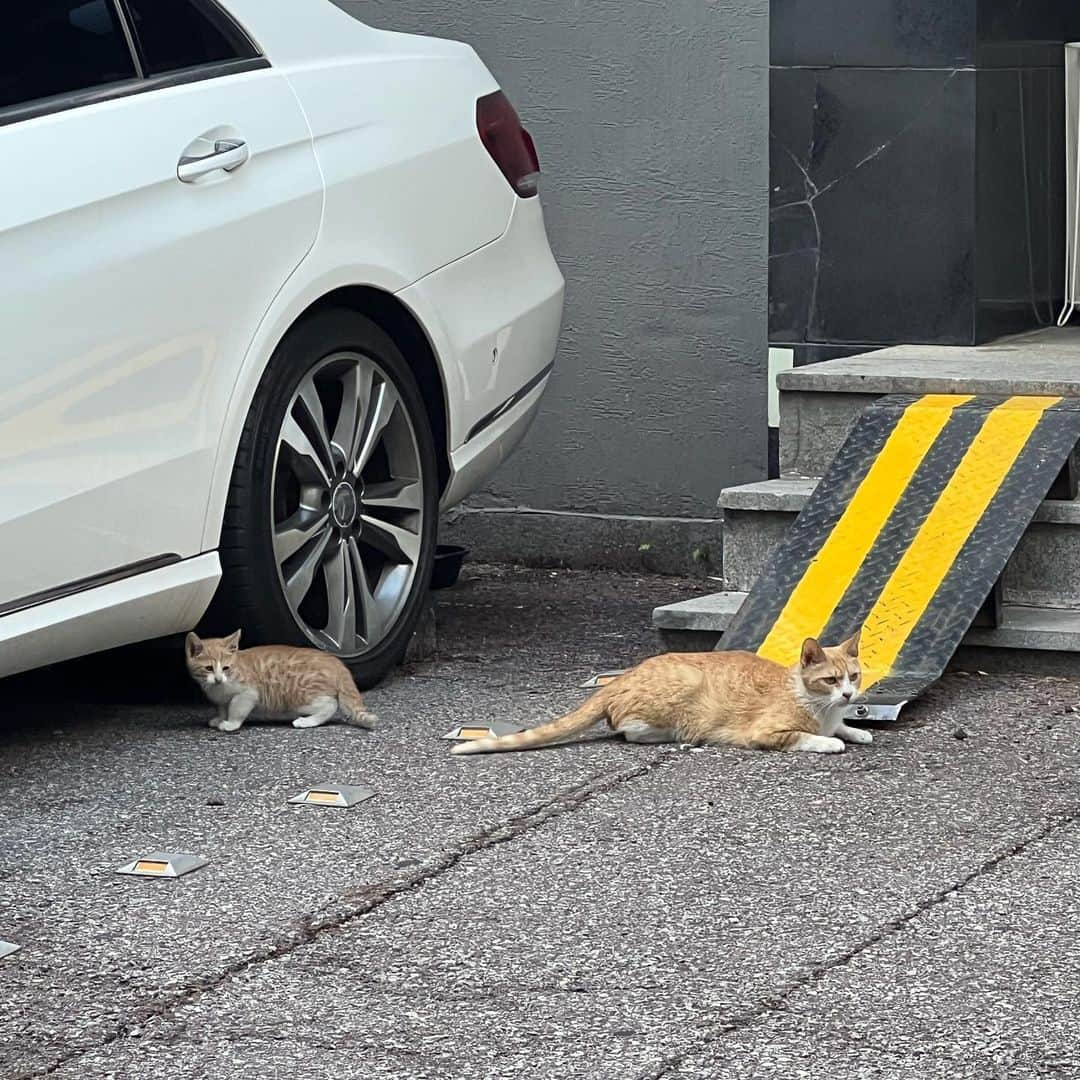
{"type": "Point", "coordinates": [1044, 572]}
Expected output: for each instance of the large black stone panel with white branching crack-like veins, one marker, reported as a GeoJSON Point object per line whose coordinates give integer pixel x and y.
{"type": "Point", "coordinates": [875, 169]}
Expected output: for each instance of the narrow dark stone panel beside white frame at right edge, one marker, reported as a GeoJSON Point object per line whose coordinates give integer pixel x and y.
{"type": "Point", "coordinates": [1021, 199]}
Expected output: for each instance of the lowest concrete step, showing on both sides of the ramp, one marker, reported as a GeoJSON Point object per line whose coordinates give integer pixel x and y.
{"type": "Point", "coordinates": [1025, 630]}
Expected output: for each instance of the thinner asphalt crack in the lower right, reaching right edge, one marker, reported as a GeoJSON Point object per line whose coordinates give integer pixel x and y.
{"type": "Point", "coordinates": [778, 1002]}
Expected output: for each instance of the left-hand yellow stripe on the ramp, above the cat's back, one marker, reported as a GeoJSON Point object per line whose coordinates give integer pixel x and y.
{"type": "Point", "coordinates": [827, 579]}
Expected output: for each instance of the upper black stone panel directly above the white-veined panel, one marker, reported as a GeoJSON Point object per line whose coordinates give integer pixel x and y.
{"type": "Point", "coordinates": [873, 33]}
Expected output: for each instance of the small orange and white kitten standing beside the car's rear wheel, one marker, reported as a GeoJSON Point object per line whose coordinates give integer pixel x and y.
{"type": "Point", "coordinates": [274, 682]}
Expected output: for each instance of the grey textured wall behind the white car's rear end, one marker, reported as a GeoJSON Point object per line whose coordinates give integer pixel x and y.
{"type": "Point", "coordinates": [652, 123]}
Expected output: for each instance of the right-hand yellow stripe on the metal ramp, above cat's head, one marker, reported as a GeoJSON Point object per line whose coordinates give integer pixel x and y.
{"type": "Point", "coordinates": [924, 566]}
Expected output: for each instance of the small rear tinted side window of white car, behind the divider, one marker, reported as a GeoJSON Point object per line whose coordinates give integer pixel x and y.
{"type": "Point", "coordinates": [174, 35]}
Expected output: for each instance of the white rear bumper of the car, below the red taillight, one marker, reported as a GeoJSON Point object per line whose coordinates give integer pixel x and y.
{"type": "Point", "coordinates": [494, 319]}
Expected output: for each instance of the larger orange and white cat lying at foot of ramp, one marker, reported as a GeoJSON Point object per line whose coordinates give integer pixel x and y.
{"type": "Point", "coordinates": [734, 698]}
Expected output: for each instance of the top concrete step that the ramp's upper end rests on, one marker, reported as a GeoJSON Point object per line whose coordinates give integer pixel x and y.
{"type": "Point", "coordinates": [819, 403]}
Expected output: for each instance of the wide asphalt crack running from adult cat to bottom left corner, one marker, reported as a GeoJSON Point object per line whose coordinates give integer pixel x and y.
{"type": "Point", "coordinates": [360, 902]}
